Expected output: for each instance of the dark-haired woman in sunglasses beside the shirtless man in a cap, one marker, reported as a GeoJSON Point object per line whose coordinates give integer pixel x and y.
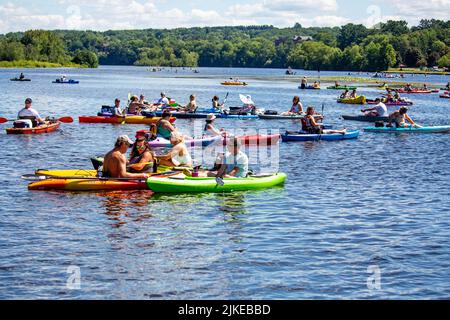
{"type": "Point", "coordinates": [141, 157]}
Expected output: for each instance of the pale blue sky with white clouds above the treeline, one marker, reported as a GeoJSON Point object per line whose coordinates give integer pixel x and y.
{"type": "Point", "coordinates": [139, 14]}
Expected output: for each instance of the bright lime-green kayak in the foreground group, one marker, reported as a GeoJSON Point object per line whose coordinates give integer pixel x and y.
{"type": "Point", "coordinates": [196, 185]}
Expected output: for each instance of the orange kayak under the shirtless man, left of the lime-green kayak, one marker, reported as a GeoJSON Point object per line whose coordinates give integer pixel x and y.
{"type": "Point", "coordinates": [87, 184]}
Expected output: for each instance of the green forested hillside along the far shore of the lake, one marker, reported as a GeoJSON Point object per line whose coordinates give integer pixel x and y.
{"type": "Point", "coordinates": [350, 47]}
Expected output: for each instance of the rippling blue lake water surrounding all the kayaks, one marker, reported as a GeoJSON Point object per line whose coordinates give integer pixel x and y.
{"type": "Point", "coordinates": [378, 203]}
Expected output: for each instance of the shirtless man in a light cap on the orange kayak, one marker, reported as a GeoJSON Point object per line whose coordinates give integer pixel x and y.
{"type": "Point", "coordinates": [115, 163]}
